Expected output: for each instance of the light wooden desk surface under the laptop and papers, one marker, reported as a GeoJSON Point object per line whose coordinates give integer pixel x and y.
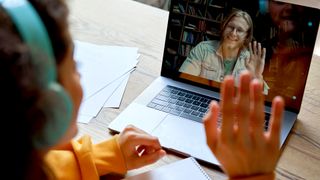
{"type": "Point", "coordinates": [129, 23]}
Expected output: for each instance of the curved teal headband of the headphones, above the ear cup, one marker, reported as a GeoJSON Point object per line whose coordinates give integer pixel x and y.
{"type": "Point", "coordinates": [37, 39]}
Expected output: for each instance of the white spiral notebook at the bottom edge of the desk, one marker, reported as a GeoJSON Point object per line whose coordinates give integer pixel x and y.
{"type": "Point", "coordinates": [186, 169]}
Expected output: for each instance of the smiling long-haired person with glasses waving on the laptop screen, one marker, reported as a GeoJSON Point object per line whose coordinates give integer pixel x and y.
{"type": "Point", "coordinates": [231, 55]}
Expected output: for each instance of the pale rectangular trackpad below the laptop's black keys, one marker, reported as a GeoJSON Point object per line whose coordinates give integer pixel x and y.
{"type": "Point", "coordinates": [184, 136]}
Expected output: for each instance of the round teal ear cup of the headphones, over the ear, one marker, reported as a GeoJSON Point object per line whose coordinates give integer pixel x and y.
{"type": "Point", "coordinates": [56, 105]}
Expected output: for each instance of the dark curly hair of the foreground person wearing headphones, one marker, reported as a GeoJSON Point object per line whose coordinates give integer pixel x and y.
{"type": "Point", "coordinates": [19, 90]}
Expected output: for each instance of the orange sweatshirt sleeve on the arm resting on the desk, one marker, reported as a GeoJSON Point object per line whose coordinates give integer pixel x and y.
{"type": "Point", "coordinates": [86, 160]}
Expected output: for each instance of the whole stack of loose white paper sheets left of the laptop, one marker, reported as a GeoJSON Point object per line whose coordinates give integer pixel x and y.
{"type": "Point", "coordinates": [105, 71]}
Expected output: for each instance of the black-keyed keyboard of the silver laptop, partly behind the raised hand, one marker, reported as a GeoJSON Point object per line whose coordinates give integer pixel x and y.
{"type": "Point", "coordinates": [184, 103]}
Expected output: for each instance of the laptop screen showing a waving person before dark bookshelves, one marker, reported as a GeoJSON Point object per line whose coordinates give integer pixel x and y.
{"type": "Point", "coordinates": [209, 39]}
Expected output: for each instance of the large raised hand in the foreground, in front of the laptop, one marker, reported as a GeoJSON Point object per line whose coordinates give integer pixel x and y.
{"type": "Point", "coordinates": [241, 144]}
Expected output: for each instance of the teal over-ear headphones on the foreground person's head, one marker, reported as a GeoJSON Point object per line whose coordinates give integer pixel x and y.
{"type": "Point", "coordinates": [55, 103]}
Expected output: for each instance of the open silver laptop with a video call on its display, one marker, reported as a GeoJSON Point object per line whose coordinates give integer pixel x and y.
{"type": "Point", "coordinates": [173, 106]}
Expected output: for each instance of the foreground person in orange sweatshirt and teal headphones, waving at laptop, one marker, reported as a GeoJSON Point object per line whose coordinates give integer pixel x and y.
{"type": "Point", "coordinates": [41, 95]}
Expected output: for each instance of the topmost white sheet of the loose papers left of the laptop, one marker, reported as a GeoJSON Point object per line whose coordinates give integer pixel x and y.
{"type": "Point", "coordinates": [99, 65]}
